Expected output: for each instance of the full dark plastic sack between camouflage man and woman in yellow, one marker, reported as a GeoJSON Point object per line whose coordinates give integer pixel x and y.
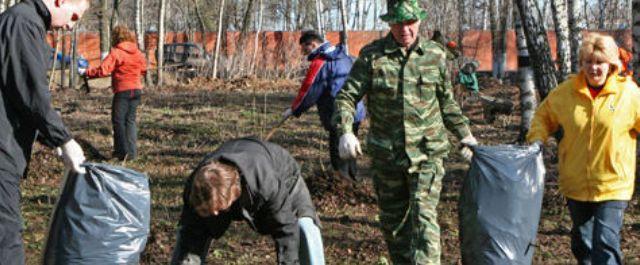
{"type": "Point", "coordinates": [500, 205]}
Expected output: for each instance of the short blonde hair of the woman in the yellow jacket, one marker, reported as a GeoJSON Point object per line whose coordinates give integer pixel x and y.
{"type": "Point", "coordinates": [602, 48]}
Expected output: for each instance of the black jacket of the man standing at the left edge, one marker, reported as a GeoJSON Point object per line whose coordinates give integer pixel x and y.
{"type": "Point", "coordinates": [25, 109]}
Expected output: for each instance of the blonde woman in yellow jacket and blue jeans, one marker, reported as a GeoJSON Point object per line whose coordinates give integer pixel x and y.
{"type": "Point", "coordinates": [599, 112]}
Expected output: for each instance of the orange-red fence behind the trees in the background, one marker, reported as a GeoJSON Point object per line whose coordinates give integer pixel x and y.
{"type": "Point", "coordinates": [278, 49]}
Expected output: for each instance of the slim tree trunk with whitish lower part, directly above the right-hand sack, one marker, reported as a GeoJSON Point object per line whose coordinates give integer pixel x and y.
{"type": "Point", "coordinates": [525, 79]}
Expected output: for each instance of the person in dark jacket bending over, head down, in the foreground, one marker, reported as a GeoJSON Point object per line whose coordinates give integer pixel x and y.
{"type": "Point", "coordinates": [252, 180]}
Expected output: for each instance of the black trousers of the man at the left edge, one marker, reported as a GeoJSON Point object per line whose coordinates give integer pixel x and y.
{"type": "Point", "coordinates": [11, 249]}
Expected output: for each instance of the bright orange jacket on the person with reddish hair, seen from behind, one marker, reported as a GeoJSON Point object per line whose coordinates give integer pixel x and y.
{"type": "Point", "coordinates": [126, 65]}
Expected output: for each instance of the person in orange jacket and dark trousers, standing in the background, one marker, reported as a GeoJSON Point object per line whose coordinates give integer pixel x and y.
{"type": "Point", "coordinates": [126, 65]}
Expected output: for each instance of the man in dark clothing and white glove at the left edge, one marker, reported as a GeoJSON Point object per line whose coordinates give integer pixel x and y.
{"type": "Point", "coordinates": [26, 113]}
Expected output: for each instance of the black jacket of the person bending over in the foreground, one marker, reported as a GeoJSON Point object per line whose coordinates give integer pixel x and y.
{"type": "Point", "coordinates": [273, 197]}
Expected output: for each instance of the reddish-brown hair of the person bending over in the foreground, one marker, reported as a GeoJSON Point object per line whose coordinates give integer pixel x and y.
{"type": "Point", "coordinates": [216, 186]}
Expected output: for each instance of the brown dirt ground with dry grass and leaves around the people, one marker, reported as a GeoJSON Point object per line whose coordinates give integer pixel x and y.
{"type": "Point", "coordinates": [178, 125]}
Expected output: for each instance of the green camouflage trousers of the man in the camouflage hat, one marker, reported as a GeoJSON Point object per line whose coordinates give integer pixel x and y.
{"type": "Point", "coordinates": [408, 216]}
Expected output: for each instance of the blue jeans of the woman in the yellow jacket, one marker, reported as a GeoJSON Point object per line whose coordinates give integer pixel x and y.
{"type": "Point", "coordinates": [595, 235]}
